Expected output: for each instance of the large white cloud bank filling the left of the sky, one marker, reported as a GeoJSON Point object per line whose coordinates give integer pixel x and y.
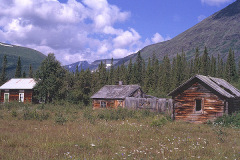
{"type": "Point", "coordinates": [73, 30]}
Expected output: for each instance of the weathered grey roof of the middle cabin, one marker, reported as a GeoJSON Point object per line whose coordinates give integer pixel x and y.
{"type": "Point", "coordinates": [115, 91]}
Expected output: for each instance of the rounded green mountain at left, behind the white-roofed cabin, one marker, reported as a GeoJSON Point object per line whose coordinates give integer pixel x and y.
{"type": "Point", "coordinates": [28, 56]}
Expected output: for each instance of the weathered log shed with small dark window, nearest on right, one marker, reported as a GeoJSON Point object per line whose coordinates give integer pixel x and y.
{"type": "Point", "coordinates": [204, 98]}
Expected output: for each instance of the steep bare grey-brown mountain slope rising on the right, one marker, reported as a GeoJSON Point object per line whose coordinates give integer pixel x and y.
{"type": "Point", "coordinates": [219, 32]}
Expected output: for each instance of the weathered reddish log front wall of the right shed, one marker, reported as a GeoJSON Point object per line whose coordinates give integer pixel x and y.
{"type": "Point", "coordinates": [185, 104]}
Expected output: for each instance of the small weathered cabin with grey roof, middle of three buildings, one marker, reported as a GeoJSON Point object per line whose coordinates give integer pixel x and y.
{"type": "Point", "coordinates": [113, 96]}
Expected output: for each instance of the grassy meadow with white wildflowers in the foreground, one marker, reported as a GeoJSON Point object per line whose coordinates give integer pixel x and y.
{"type": "Point", "coordinates": [85, 136]}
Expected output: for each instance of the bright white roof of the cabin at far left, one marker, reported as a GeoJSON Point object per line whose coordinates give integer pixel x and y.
{"type": "Point", "coordinates": [19, 83]}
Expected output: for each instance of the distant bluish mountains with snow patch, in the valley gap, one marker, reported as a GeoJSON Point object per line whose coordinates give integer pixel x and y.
{"type": "Point", "coordinates": [92, 66]}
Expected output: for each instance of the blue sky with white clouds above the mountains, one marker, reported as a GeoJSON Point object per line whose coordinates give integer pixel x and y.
{"type": "Point", "coordinates": [78, 30]}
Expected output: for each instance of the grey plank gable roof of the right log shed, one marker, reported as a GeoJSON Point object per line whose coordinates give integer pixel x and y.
{"type": "Point", "coordinates": [219, 85]}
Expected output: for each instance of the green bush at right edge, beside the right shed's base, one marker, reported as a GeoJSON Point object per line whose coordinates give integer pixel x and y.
{"type": "Point", "coordinates": [229, 120]}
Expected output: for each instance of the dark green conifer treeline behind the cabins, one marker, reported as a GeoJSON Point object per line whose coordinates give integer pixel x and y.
{"type": "Point", "coordinates": [156, 78]}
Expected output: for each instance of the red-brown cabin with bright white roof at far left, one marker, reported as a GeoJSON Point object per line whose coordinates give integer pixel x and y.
{"type": "Point", "coordinates": [18, 90]}
